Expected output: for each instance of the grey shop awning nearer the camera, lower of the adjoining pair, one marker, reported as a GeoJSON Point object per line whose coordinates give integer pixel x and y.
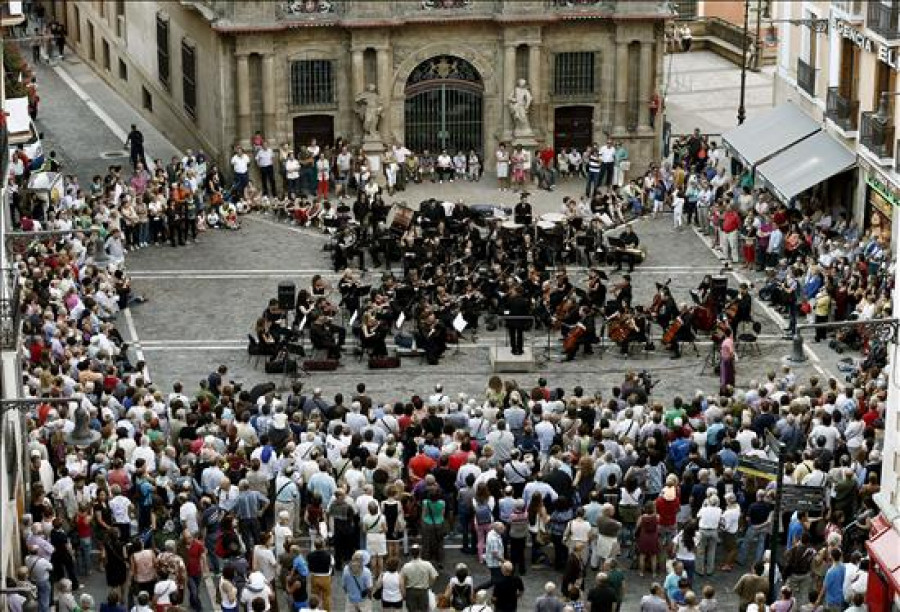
{"type": "Point", "coordinates": [807, 163]}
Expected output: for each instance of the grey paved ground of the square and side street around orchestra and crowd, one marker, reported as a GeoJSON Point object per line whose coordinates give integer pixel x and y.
{"type": "Point", "coordinates": [205, 297]}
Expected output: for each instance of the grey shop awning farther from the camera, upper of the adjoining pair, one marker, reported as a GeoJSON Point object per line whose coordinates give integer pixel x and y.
{"type": "Point", "coordinates": [758, 139]}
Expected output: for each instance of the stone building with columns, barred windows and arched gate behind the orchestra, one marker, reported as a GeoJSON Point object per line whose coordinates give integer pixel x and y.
{"type": "Point", "coordinates": [212, 73]}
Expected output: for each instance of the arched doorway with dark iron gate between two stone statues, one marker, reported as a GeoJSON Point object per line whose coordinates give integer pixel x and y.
{"type": "Point", "coordinates": [444, 106]}
